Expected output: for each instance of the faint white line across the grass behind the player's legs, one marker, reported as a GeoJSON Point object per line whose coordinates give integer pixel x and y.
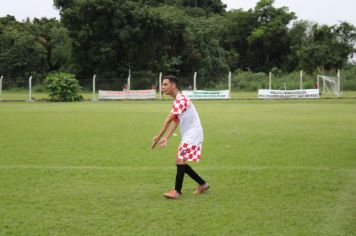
{"type": "Point", "coordinates": [148, 168]}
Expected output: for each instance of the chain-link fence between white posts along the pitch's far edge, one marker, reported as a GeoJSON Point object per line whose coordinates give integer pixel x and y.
{"type": "Point", "coordinates": [17, 89]}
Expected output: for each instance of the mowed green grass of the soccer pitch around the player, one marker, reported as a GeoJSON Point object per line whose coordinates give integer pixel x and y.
{"type": "Point", "coordinates": [275, 168]}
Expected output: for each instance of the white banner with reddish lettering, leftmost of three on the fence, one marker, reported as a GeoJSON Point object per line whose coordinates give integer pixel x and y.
{"type": "Point", "coordinates": [127, 94]}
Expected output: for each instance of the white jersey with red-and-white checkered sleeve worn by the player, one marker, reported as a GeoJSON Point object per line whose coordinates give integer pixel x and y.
{"type": "Point", "coordinates": [189, 121]}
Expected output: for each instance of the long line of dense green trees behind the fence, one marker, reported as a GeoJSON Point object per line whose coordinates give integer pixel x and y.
{"type": "Point", "coordinates": [109, 37]}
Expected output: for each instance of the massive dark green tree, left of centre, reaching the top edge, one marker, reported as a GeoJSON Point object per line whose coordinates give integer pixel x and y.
{"type": "Point", "coordinates": [111, 36]}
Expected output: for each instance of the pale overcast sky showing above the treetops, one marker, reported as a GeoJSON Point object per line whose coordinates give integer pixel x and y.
{"type": "Point", "coordinates": [322, 11]}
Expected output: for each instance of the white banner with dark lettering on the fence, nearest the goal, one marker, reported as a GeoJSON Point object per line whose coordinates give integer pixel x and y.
{"type": "Point", "coordinates": [288, 94]}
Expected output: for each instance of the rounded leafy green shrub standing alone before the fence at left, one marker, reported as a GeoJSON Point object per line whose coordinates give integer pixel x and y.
{"type": "Point", "coordinates": [63, 87]}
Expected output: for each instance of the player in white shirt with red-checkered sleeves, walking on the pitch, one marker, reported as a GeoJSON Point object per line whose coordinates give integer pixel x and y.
{"type": "Point", "coordinates": [183, 113]}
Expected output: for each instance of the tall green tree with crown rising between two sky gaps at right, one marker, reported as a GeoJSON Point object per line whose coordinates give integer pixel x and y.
{"type": "Point", "coordinates": [257, 39]}
